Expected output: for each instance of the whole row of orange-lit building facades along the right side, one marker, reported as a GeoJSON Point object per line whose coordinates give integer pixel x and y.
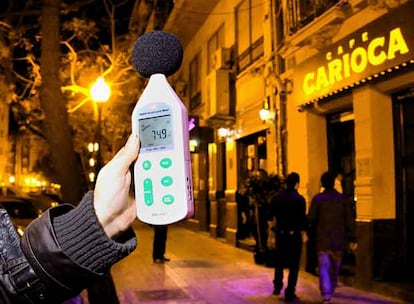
{"type": "Point", "coordinates": [337, 79]}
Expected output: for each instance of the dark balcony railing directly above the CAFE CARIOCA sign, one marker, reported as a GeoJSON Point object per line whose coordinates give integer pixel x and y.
{"type": "Point", "coordinates": [302, 12]}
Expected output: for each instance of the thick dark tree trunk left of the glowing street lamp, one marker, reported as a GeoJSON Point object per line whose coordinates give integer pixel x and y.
{"type": "Point", "coordinates": [56, 123]}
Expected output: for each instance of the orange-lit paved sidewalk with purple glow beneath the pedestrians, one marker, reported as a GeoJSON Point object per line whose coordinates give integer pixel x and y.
{"type": "Point", "coordinates": [206, 270]}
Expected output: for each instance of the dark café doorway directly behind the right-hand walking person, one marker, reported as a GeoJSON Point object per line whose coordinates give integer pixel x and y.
{"type": "Point", "coordinates": [341, 149]}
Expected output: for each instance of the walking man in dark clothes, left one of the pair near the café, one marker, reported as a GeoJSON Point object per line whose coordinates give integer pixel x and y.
{"type": "Point", "coordinates": [288, 213]}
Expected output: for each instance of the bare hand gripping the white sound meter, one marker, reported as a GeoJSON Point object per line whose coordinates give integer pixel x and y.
{"type": "Point", "coordinates": [114, 207]}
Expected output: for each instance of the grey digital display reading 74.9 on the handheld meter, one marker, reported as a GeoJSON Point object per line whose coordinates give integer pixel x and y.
{"type": "Point", "coordinates": [156, 131]}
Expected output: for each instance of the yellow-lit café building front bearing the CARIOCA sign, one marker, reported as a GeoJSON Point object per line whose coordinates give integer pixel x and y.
{"type": "Point", "coordinates": [352, 74]}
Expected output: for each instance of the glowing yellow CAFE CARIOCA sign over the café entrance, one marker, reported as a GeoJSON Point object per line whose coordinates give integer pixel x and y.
{"type": "Point", "coordinates": [381, 45]}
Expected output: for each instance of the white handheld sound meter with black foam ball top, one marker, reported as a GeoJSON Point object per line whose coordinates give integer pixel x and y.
{"type": "Point", "coordinates": [162, 172]}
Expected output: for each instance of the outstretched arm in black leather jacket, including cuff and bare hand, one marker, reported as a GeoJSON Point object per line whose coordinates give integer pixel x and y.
{"type": "Point", "coordinates": [67, 248]}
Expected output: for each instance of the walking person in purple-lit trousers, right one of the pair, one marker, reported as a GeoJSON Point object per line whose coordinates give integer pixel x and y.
{"type": "Point", "coordinates": [330, 213]}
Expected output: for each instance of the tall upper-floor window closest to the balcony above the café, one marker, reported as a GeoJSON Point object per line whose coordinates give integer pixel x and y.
{"type": "Point", "coordinates": [249, 27]}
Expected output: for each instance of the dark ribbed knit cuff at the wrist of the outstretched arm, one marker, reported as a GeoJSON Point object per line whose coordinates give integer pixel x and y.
{"type": "Point", "coordinates": [84, 241]}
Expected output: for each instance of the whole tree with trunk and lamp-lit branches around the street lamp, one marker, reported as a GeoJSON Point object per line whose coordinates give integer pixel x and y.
{"type": "Point", "coordinates": [69, 116]}
